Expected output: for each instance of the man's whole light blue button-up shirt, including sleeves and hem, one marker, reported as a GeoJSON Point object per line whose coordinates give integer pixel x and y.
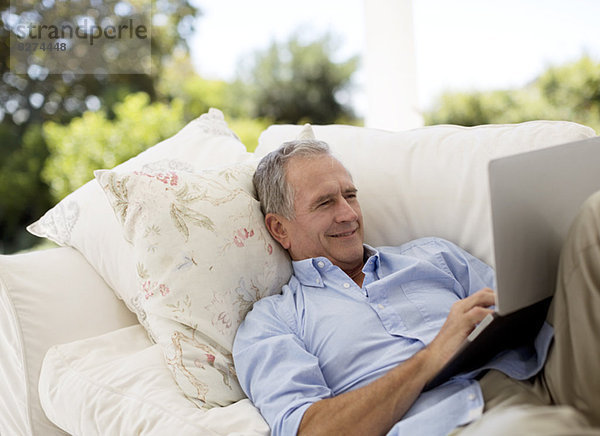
{"type": "Point", "coordinates": [325, 335]}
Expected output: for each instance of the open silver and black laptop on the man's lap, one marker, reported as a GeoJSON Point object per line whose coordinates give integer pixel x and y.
{"type": "Point", "coordinates": [534, 198]}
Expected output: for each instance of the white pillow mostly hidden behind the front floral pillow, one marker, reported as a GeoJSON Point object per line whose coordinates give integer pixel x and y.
{"type": "Point", "coordinates": [84, 219]}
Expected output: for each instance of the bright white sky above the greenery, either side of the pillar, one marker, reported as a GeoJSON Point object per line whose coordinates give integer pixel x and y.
{"type": "Point", "coordinates": [459, 44]}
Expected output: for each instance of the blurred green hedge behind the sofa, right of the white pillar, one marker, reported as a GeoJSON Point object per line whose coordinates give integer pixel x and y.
{"type": "Point", "coordinates": [569, 92]}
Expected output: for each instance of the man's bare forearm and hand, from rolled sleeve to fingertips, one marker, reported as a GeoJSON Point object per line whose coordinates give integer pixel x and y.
{"type": "Point", "coordinates": [375, 408]}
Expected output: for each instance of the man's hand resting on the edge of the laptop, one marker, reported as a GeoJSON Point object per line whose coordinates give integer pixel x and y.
{"type": "Point", "coordinates": [464, 315]}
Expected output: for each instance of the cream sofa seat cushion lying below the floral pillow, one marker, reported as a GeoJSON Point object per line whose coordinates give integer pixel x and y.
{"type": "Point", "coordinates": [118, 383]}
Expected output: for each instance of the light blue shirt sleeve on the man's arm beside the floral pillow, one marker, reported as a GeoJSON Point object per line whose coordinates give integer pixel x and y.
{"type": "Point", "coordinates": [274, 369]}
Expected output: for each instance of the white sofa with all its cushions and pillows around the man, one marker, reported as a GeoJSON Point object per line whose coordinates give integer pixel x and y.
{"type": "Point", "coordinates": [85, 347]}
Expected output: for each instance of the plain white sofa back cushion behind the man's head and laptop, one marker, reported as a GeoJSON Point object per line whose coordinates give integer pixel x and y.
{"type": "Point", "coordinates": [430, 181]}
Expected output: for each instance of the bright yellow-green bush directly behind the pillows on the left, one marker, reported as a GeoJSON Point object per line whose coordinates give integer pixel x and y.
{"type": "Point", "coordinates": [92, 141]}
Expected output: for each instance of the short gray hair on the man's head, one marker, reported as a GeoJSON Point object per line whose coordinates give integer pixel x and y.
{"type": "Point", "coordinates": [274, 193]}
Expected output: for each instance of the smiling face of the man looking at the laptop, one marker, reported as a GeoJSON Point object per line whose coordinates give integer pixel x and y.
{"type": "Point", "coordinates": [328, 220]}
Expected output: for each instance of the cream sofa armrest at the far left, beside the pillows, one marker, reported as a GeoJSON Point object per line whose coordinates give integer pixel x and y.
{"type": "Point", "coordinates": [46, 297]}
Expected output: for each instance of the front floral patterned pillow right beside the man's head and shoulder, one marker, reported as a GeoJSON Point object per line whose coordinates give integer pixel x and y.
{"type": "Point", "coordinates": [203, 257]}
